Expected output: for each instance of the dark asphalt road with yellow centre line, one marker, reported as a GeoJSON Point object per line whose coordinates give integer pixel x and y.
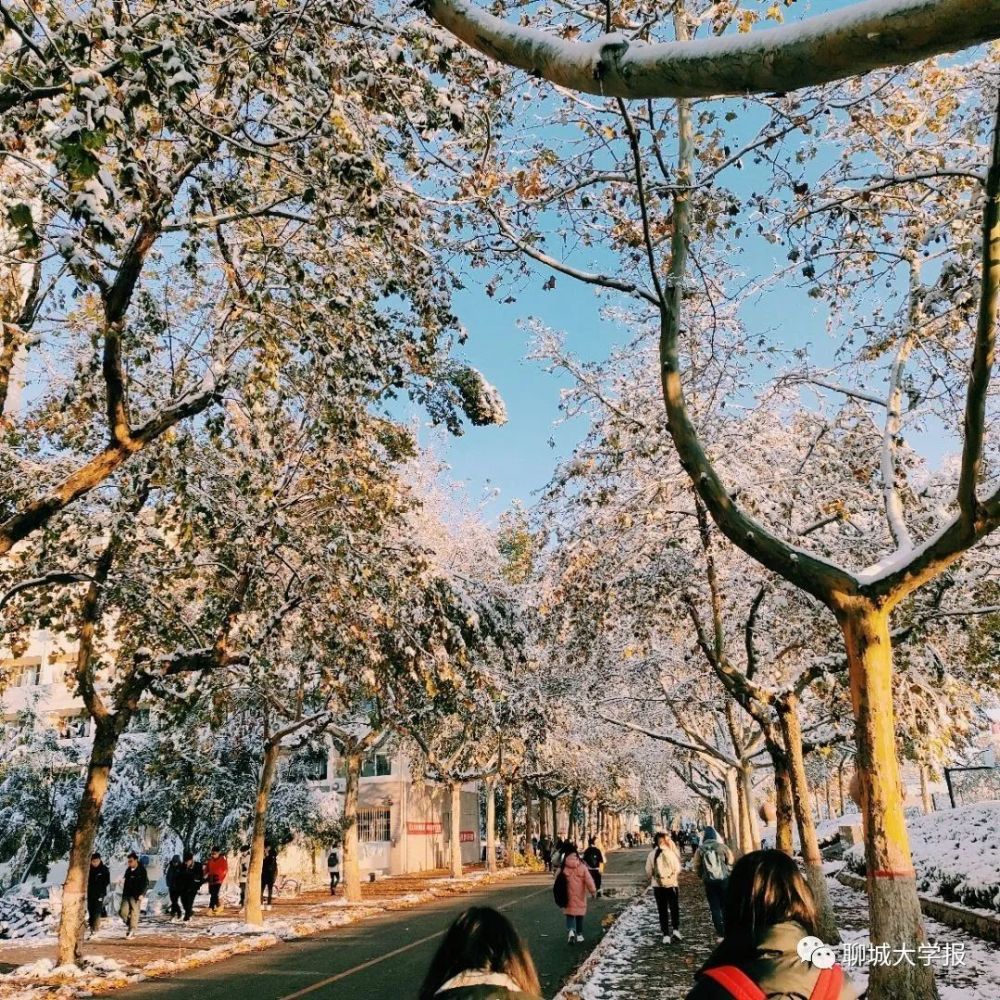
{"type": "Point", "coordinates": [385, 958]}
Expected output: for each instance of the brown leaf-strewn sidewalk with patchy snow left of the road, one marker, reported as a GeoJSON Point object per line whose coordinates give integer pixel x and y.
{"type": "Point", "coordinates": [161, 947]}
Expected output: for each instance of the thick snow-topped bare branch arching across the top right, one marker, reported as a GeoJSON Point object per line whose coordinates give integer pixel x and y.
{"type": "Point", "coordinates": [843, 43]}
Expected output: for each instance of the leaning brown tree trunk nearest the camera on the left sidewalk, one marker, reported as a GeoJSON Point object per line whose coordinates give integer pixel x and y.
{"type": "Point", "coordinates": [74, 904]}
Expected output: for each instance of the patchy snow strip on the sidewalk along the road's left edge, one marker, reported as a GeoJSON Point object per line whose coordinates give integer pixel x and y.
{"type": "Point", "coordinates": [104, 973]}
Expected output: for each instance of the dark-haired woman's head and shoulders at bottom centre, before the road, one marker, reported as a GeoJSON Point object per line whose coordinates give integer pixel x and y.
{"type": "Point", "coordinates": [481, 957]}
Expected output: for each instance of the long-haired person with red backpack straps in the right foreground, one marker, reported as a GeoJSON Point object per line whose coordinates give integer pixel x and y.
{"type": "Point", "coordinates": [769, 909]}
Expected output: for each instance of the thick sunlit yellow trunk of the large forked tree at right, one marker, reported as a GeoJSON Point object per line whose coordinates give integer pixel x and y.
{"type": "Point", "coordinates": [894, 907]}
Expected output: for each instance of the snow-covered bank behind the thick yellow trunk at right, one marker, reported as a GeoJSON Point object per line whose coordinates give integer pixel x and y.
{"type": "Point", "coordinates": [956, 854]}
